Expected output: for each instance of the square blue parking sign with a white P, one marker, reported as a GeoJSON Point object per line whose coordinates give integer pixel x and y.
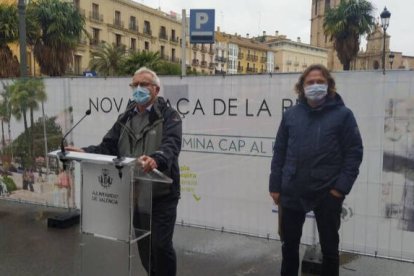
{"type": "Point", "coordinates": [202, 26]}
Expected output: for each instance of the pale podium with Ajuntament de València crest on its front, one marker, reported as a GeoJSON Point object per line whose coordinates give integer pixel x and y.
{"type": "Point", "coordinates": [116, 207]}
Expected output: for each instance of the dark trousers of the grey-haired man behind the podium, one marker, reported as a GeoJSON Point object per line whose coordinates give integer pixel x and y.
{"type": "Point", "coordinates": [163, 259]}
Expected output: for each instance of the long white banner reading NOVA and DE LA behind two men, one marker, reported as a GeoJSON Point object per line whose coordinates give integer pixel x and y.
{"type": "Point", "coordinates": [229, 127]}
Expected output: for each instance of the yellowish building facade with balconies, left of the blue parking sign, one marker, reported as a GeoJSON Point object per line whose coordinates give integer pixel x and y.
{"type": "Point", "coordinates": [124, 22]}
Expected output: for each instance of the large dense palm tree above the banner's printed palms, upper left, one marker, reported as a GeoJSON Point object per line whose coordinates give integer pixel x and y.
{"type": "Point", "coordinates": [61, 25]}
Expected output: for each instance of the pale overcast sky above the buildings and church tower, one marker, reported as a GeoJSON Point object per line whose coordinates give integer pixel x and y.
{"type": "Point", "coordinates": [289, 17]}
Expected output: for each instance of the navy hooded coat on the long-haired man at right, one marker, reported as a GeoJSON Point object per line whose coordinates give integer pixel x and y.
{"type": "Point", "coordinates": [315, 150]}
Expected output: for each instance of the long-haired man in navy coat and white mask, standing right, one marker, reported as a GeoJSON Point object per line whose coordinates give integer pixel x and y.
{"type": "Point", "coordinates": [316, 159]}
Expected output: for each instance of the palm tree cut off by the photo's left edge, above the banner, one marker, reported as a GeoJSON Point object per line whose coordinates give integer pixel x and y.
{"type": "Point", "coordinates": [8, 33]}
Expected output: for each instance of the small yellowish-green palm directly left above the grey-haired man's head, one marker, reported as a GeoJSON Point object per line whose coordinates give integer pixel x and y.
{"type": "Point", "coordinates": [107, 59]}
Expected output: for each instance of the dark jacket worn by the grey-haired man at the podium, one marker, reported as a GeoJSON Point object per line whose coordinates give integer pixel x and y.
{"type": "Point", "coordinates": [166, 153]}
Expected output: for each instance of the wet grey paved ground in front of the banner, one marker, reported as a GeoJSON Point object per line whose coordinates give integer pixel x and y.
{"type": "Point", "coordinates": [28, 247]}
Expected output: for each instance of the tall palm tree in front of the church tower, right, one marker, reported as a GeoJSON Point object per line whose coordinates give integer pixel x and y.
{"type": "Point", "coordinates": [345, 24]}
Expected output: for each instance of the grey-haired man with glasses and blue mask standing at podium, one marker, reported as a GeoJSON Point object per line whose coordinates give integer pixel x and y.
{"type": "Point", "coordinates": [151, 131]}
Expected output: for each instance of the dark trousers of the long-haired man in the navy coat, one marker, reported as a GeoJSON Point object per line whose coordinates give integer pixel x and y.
{"type": "Point", "coordinates": [328, 220]}
